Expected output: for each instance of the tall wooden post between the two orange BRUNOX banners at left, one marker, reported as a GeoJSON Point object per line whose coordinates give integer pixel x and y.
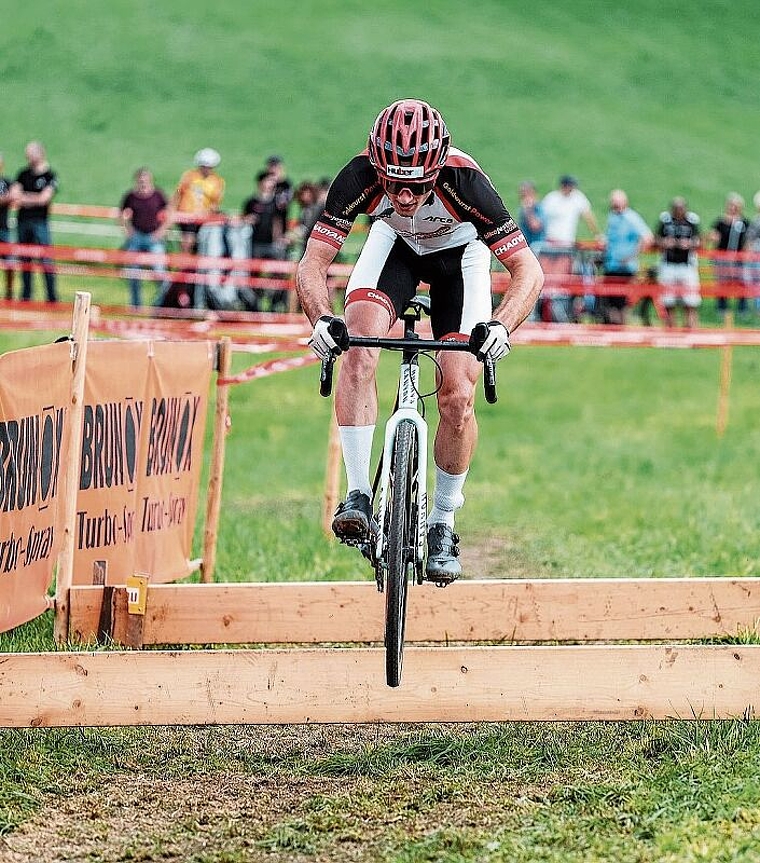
{"type": "Point", "coordinates": [65, 566]}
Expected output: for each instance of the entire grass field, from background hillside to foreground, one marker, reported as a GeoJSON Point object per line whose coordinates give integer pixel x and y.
{"type": "Point", "coordinates": [593, 463]}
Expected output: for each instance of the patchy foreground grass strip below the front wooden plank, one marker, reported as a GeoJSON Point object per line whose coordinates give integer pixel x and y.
{"type": "Point", "coordinates": [509, 792]}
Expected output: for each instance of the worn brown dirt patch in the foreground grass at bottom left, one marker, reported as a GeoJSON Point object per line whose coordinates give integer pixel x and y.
{"type": "Point", "coordinates": [237, 819]}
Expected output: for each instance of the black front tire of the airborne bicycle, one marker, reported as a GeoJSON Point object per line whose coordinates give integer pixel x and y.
{"type": "Point", "coordinates": [401, 521]}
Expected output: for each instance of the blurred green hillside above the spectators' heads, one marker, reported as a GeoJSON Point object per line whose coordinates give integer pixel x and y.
{"type": "Point", "coordinates": [655, 98]}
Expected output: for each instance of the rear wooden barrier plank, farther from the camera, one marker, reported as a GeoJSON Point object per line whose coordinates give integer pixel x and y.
{"type": "Point", "coordinates": [504, 610]}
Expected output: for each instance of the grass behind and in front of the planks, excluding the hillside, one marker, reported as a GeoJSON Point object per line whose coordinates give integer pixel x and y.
{"type": "Point", "coordinates": [593, 463]}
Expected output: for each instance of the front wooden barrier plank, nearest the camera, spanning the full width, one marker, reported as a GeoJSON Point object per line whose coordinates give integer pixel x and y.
{"type": "Point", "coordinates": [440, 684]}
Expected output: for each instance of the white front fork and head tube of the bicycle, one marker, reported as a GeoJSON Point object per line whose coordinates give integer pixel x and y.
{"type": "Point", "coordinates": [408, 395]}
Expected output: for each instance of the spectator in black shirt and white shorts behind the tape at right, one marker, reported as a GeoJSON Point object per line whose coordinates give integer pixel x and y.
{"type": "Point", "coordinates": [678, 238]}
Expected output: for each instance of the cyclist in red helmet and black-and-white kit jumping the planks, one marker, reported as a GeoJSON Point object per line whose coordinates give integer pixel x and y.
{"type": "Point", "coordinates": [435, 216]}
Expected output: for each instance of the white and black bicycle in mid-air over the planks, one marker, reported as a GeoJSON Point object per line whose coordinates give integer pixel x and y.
{"type": "Point", "coordinates": [396, 545]}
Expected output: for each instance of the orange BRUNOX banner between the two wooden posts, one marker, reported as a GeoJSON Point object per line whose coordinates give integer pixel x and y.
{"type": "Point", "coordinates": [142, 451]}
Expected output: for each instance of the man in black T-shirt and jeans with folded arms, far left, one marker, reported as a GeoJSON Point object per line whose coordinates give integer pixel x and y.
{"type": "Point", "coordinates": [33, 190]}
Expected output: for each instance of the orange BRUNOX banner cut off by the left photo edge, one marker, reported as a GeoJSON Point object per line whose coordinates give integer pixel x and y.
{"type": "Point", "coordinates": [35, 393]}
